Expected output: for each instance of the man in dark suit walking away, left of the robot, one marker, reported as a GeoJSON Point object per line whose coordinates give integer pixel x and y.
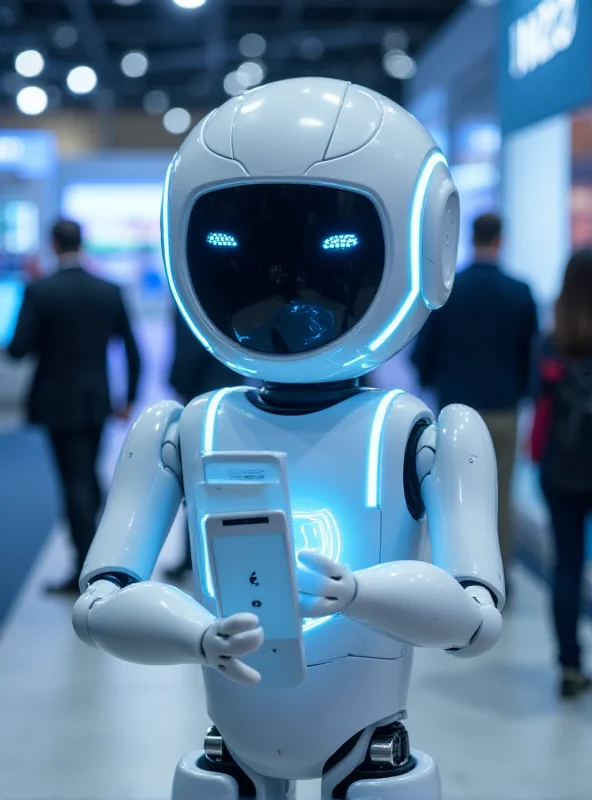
{"type": "Point", "coordinates": [66, 321]}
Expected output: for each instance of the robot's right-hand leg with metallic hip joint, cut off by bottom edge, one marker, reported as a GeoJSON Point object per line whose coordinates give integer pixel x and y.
{"type": "Point", "coordinates": [389, 770]}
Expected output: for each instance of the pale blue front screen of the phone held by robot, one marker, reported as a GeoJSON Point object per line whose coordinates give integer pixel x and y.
{"type": "Point", "coordinates": [254, 574]}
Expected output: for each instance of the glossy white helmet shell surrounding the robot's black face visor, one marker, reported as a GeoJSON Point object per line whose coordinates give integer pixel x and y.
{"type": "Point", "coordinates": [316, 131]}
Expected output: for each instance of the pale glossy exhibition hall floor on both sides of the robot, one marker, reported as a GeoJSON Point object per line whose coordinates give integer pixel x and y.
{"type": "Point", "coordinates": [78, 725]}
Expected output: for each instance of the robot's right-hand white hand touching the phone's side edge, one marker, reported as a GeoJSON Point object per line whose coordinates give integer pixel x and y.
{"type": "Point", "coordinates": [326, 587]}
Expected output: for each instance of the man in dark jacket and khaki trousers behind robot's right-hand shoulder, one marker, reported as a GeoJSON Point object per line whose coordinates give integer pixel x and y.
{"type": "Point", "coordinates": [478, 351]}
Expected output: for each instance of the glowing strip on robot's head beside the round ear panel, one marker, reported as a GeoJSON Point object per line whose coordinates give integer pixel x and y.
{"type": "Point", "coordinates": [415, 246]}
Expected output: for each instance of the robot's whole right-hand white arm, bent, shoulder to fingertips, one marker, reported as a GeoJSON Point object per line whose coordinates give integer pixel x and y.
{"type": "Point", "coordinates": [450, 604]}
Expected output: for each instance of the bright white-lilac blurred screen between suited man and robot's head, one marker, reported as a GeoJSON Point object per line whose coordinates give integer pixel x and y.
{"type": "Point", "coordinates": [121, 227]}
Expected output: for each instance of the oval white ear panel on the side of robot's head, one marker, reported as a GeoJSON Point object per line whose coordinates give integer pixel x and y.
{"type": "Point", "coordinates": [440, 236]}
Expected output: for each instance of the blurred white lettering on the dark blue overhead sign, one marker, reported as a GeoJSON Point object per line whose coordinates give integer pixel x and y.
{"type": "Point", "coordinates": [539, 36]}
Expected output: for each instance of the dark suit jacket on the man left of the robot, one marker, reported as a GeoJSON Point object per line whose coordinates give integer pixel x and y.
{"type": "Point", "coordinates": [66, 321]}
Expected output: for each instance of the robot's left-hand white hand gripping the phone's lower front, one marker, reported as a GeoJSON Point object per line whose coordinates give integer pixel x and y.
{"type": "Point", "coordinates": [227, 639]}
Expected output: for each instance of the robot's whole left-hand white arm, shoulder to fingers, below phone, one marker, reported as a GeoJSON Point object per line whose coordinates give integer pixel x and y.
{"type": "Point", "coordinates": [121, 611]}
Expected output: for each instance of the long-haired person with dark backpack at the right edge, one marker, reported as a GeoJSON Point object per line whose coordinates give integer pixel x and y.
{"type": "Point", "coordinates": [562, 445]}
